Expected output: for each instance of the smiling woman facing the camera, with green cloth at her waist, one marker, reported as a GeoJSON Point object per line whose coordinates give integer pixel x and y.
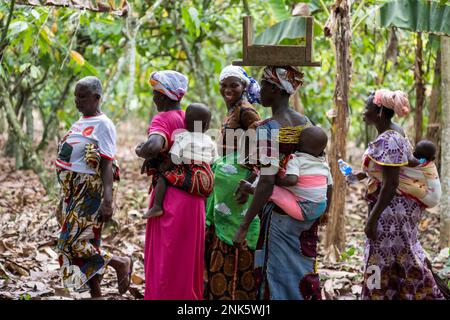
{"type": "Point", "coordinates": [230, 270]}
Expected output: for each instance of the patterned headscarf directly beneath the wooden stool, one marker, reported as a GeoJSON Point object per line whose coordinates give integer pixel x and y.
{"type": "Point", "coordinates": [287, 78]}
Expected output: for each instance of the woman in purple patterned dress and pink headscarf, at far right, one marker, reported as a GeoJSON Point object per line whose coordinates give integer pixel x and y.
{"type": "Point", "coordinates": [395, 263]}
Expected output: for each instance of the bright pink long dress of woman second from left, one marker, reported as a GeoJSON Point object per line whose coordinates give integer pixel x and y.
{"type": "Point", "coordinates": [174, 242]}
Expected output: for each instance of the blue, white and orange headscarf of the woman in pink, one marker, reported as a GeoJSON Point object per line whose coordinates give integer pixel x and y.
{"type": "Point", "coordinates": [170, 83]}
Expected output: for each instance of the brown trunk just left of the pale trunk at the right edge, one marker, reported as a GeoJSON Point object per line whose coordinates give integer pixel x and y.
{"type": "Point", "coordinates": [434, 126]}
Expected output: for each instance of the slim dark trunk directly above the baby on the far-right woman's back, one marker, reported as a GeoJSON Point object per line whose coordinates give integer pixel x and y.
{"type": "Point", "coordinates": [420, 88]}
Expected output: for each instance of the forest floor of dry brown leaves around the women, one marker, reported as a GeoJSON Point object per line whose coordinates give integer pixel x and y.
{"type": "Point", "coordinates": [28, 233]}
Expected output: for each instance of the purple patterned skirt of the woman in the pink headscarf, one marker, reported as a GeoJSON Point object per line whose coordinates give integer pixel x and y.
{"type": "Point", "coordinates": [395, 266]}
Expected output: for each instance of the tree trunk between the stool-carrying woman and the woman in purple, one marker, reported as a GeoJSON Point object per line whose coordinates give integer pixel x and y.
{"type": "Point", "coordinates": [340, 21]}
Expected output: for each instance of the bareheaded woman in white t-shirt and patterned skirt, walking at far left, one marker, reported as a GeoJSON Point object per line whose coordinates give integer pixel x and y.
{"type": "Point", "coordinates": [87, 191]}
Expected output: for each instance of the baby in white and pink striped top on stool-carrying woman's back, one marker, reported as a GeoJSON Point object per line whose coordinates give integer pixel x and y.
{"type": "Point", "coordinates": [303, 189]}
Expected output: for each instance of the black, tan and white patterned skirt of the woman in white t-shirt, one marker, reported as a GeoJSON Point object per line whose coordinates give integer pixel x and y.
{"type": "Point", "coordinates": [80, 256]}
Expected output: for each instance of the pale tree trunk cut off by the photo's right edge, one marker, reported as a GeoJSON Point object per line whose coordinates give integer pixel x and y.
{"type": "Point", "coordinates": [445, 155]}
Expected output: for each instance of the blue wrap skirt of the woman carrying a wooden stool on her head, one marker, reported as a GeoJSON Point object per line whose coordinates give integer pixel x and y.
{"type": "Point", "coordinates": [285, 258]}
